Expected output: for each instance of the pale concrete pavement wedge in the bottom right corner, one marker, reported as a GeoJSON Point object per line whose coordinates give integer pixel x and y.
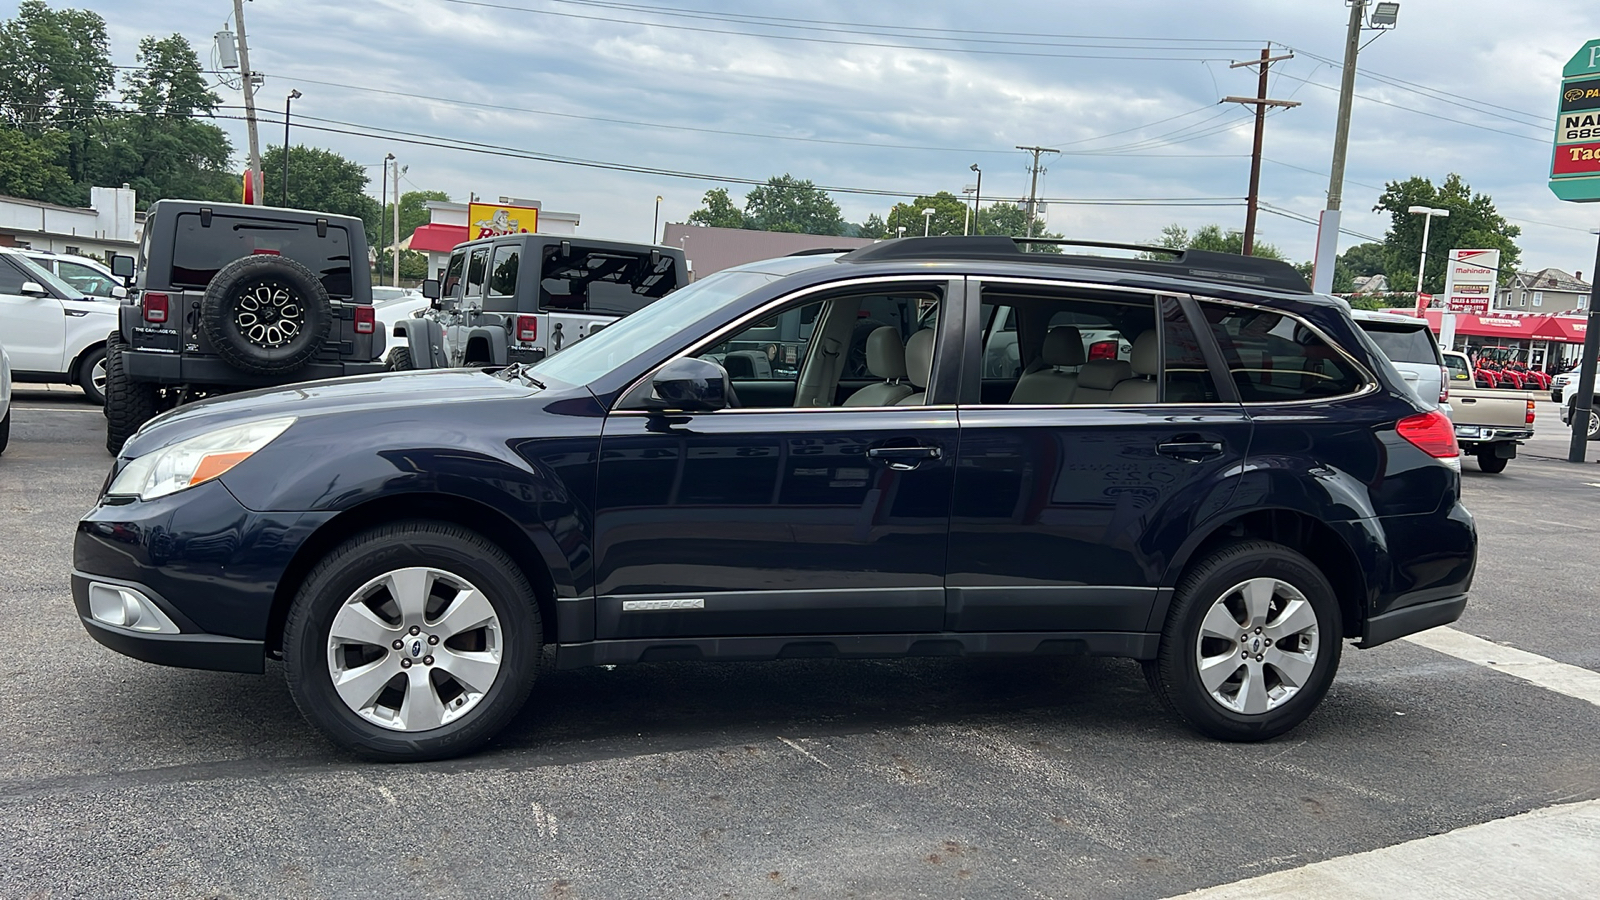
{"type": "Point", "coordinates": [1548, 854]}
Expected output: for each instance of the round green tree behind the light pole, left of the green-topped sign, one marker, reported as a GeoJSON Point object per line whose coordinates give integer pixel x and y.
{"type": "Point", "coordinates": [1473, 223]}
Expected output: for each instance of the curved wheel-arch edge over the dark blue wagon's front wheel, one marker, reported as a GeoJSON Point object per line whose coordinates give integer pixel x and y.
{"type": "Point", "coordinates": [471, 515]}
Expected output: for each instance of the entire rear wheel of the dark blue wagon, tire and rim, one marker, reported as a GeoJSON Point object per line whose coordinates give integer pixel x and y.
{"type": "Point", "coordinates": [1252, 643]}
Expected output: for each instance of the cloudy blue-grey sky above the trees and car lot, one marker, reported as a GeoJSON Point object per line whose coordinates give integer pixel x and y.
{"type": "Point", "coordinates": [905, 97]}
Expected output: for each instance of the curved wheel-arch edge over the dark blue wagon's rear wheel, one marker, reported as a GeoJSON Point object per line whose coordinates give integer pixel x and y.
{"type": "Point", "coordinates": [1297, 529]}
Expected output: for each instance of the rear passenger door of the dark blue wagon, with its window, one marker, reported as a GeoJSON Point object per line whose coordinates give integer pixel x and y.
{"type": "Point", "coordinates": [1070, 507]}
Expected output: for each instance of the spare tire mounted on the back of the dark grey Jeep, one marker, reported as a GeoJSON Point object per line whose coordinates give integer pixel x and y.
{"type": "Point", "coordinates": [266, 315]}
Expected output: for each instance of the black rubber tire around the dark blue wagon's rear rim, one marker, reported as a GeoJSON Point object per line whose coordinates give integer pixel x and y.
{"type": "Point", "coordinates": [1175, 673]}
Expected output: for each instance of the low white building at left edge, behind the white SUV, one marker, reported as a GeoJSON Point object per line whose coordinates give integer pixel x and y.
{"type": "Point", "coordinates": [108, 227]}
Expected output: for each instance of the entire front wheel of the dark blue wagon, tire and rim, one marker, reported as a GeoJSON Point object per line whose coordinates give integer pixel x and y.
{"type": "Point", "coordinates": [414, 641]}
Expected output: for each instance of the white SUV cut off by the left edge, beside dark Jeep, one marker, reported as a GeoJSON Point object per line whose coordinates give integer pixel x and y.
{"type": "Point", "coordinates": [54, 332]}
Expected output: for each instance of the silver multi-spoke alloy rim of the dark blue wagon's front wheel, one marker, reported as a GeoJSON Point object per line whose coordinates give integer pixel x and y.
{"type": "Point", "coordinates": [415, 649]}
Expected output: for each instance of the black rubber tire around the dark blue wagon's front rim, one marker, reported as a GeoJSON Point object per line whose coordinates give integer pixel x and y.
{"type": "Point", "coordinates": [367, 558]}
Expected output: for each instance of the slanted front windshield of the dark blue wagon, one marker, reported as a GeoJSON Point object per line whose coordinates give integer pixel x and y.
{"type": "Point", "coordinates": [618, 344]}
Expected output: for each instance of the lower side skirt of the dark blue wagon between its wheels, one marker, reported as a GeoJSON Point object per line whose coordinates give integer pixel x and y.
{"type": "Point", "coordinates": [1129, 645]}
